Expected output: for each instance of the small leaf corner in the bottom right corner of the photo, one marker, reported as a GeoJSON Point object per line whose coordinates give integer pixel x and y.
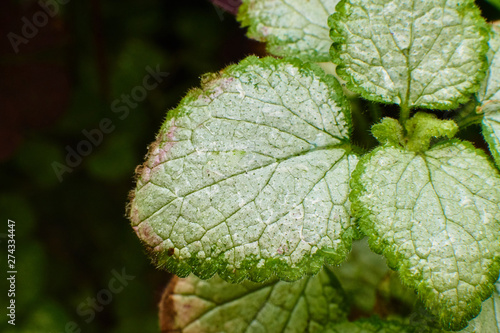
{"type": "Point", "coordinates": [489, 318]}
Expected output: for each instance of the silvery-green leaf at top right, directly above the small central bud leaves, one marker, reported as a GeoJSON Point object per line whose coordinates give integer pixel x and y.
{"type": "Point", "coordinates": [414, 53]}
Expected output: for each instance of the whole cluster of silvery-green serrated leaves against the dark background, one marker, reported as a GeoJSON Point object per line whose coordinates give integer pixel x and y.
{"type": "Point", "coordinates": [254, 176]}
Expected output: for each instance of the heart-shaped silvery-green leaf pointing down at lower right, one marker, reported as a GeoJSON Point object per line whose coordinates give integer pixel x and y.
{"type": "Point", "coordinates": [435, 216]}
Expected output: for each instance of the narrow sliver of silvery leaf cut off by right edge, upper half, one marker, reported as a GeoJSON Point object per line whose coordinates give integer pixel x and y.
{"type": "Point", "coordinates": [489, 96]}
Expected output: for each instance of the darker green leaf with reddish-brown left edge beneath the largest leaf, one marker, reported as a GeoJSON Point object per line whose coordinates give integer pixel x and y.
{"type": "Point", "coordinates": [203, 306]}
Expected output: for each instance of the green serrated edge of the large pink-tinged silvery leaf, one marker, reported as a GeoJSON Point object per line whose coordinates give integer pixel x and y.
{"type": "Point", "coordinates": [257, 270]}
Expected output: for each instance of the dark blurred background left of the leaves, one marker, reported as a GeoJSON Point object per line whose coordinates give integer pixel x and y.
{"type": "Point", "coordinates": [75, 121]}
